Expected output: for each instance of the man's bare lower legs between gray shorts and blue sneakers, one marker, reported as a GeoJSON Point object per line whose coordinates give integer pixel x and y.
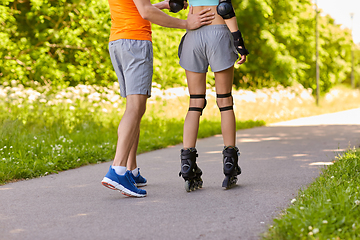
{"type": "Point", "coordinates": [128, 131]}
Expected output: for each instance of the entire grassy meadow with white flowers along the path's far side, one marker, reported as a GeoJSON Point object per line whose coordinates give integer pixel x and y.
{"type": "Point", "coordinates": [45, 130]}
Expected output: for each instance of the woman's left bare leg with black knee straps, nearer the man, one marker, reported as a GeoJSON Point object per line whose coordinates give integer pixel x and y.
{"type": "Point", "coordinates": [197, 86]}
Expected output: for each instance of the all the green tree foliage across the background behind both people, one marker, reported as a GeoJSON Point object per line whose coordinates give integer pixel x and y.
{"type": "Point", "coordinates": [66, 43]}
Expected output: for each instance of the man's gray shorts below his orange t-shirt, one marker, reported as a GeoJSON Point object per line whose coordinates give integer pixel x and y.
{"type": "Point", "coordinates": [133, 63]}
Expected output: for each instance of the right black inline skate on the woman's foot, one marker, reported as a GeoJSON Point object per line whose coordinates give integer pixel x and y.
{"type": "Point", "coordinates": [231, 166]}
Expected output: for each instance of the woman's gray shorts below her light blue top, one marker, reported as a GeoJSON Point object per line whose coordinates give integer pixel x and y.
{"type": "Point", "coordinates": [209, 45]}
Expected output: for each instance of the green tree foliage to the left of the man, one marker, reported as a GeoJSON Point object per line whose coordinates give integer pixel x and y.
{"type": "Point", "coordinates": [58, 42]}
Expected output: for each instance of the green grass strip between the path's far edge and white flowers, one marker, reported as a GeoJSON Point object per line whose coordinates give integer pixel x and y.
{"type": "Point", "coordinates": [39, 140]}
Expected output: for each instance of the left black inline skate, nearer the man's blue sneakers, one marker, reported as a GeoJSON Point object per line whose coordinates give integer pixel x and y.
{"type": "Point", "coordinates": [189, 170]}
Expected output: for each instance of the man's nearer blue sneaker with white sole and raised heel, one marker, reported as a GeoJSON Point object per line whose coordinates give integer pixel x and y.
{"type": "Point", "coordinates": [124, 183]}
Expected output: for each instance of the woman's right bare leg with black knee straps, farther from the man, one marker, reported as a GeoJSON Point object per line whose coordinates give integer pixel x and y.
{"type": "Point", "coordinates": [223, 85]}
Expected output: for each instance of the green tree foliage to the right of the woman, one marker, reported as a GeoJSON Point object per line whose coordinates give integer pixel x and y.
{"type": "Point", "coordinates": [280, 36]}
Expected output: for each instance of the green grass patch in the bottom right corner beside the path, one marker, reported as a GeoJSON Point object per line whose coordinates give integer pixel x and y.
{"type": "Point", "coordinates": [328, 209]}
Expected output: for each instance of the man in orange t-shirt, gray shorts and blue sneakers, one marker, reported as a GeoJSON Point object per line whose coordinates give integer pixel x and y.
{"type": "Point", "coordinates": [131, 54]}
